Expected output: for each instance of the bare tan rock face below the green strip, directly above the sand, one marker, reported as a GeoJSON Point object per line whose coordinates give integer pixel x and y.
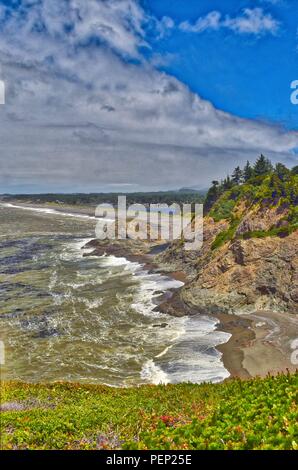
{"type": "Point", "coordinates": [248, 275]}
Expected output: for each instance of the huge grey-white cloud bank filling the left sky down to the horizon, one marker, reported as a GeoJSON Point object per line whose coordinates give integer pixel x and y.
{"type": "Point", "coordinates": [83, 117]}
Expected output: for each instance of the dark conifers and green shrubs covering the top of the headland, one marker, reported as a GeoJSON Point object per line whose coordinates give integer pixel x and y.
{"type": "Point", "coordinates": [255, 187]}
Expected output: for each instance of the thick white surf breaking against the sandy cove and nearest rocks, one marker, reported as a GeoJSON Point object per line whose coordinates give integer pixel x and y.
{"type": "Point", "coordinates": [190, 354]}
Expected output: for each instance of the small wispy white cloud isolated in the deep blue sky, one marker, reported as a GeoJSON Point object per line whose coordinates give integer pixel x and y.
{"type": "Point", "coordinates": [251, 21]}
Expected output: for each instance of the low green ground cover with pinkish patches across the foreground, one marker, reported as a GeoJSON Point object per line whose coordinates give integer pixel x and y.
{"type": "Point", "coordinates": [254, 414]}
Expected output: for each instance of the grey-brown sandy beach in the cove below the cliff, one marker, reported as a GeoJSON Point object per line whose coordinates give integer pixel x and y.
{"type": "Point", "coordinates": [260, 343]}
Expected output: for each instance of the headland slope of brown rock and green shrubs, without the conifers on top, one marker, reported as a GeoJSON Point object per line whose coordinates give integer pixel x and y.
{"type": "Point", "coordinates": [249, 258]}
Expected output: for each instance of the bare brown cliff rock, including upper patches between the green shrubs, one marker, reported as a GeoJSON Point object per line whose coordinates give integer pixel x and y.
{"type": "Point", "coordinates": [242, 275]}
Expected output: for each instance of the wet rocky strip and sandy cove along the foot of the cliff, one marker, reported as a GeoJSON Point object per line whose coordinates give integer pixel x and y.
{"type": "Point", "coordinates": [241, 354]}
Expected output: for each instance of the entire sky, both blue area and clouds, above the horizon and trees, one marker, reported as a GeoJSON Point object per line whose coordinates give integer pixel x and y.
{"type": "Point", "coordinates": [132, 95]}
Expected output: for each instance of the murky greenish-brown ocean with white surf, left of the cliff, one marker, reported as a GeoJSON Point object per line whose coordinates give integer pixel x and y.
{"type": "Point", "coordinates": [66, 316]}
